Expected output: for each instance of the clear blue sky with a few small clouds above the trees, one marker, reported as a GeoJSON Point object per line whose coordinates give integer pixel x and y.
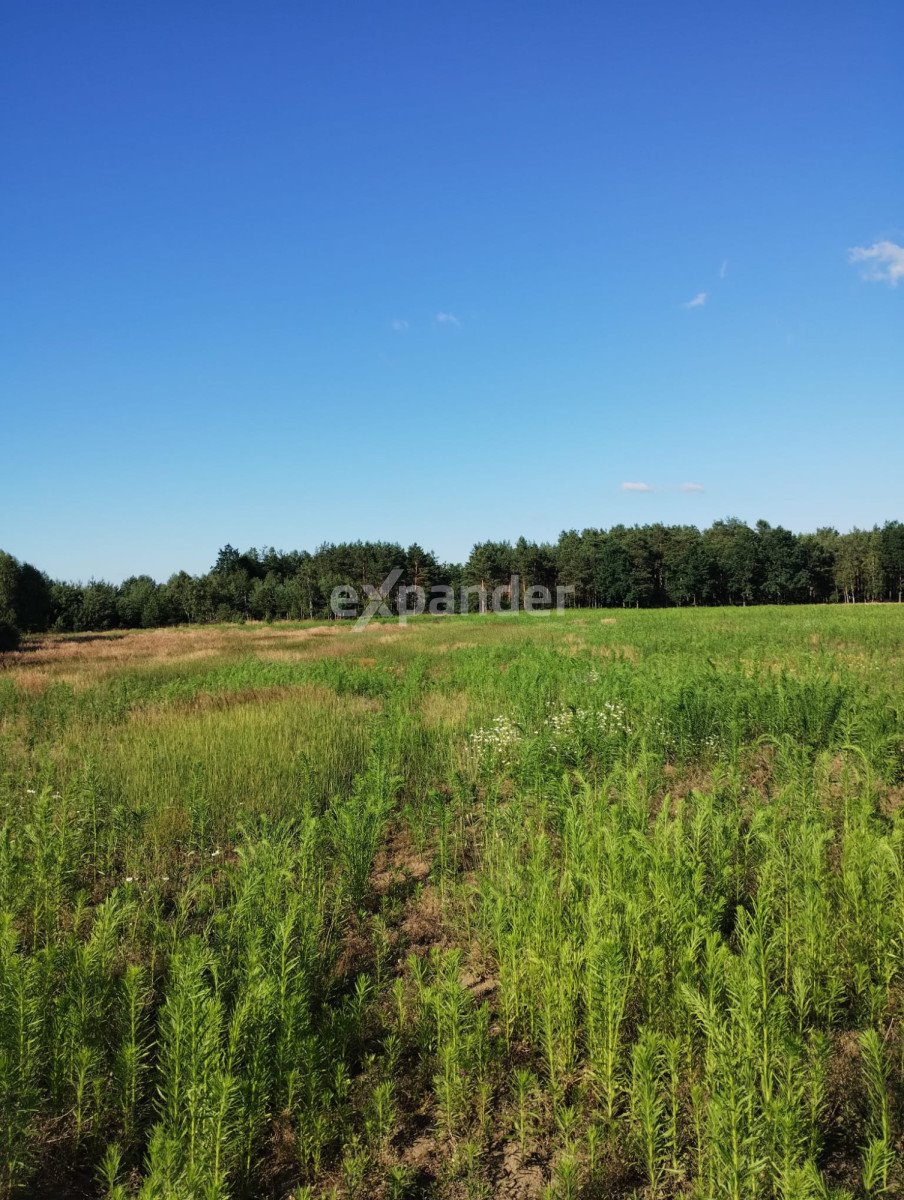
{"type": "Point", "coordinates": [292, 273]}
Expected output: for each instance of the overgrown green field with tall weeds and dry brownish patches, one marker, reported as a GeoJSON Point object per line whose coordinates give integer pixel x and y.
{"type": "Point", "coordinates": [602, 904]}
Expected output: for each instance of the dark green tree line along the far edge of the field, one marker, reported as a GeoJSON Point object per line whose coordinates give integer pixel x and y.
{"type": "Point", "coordinates": [654, 566]}
